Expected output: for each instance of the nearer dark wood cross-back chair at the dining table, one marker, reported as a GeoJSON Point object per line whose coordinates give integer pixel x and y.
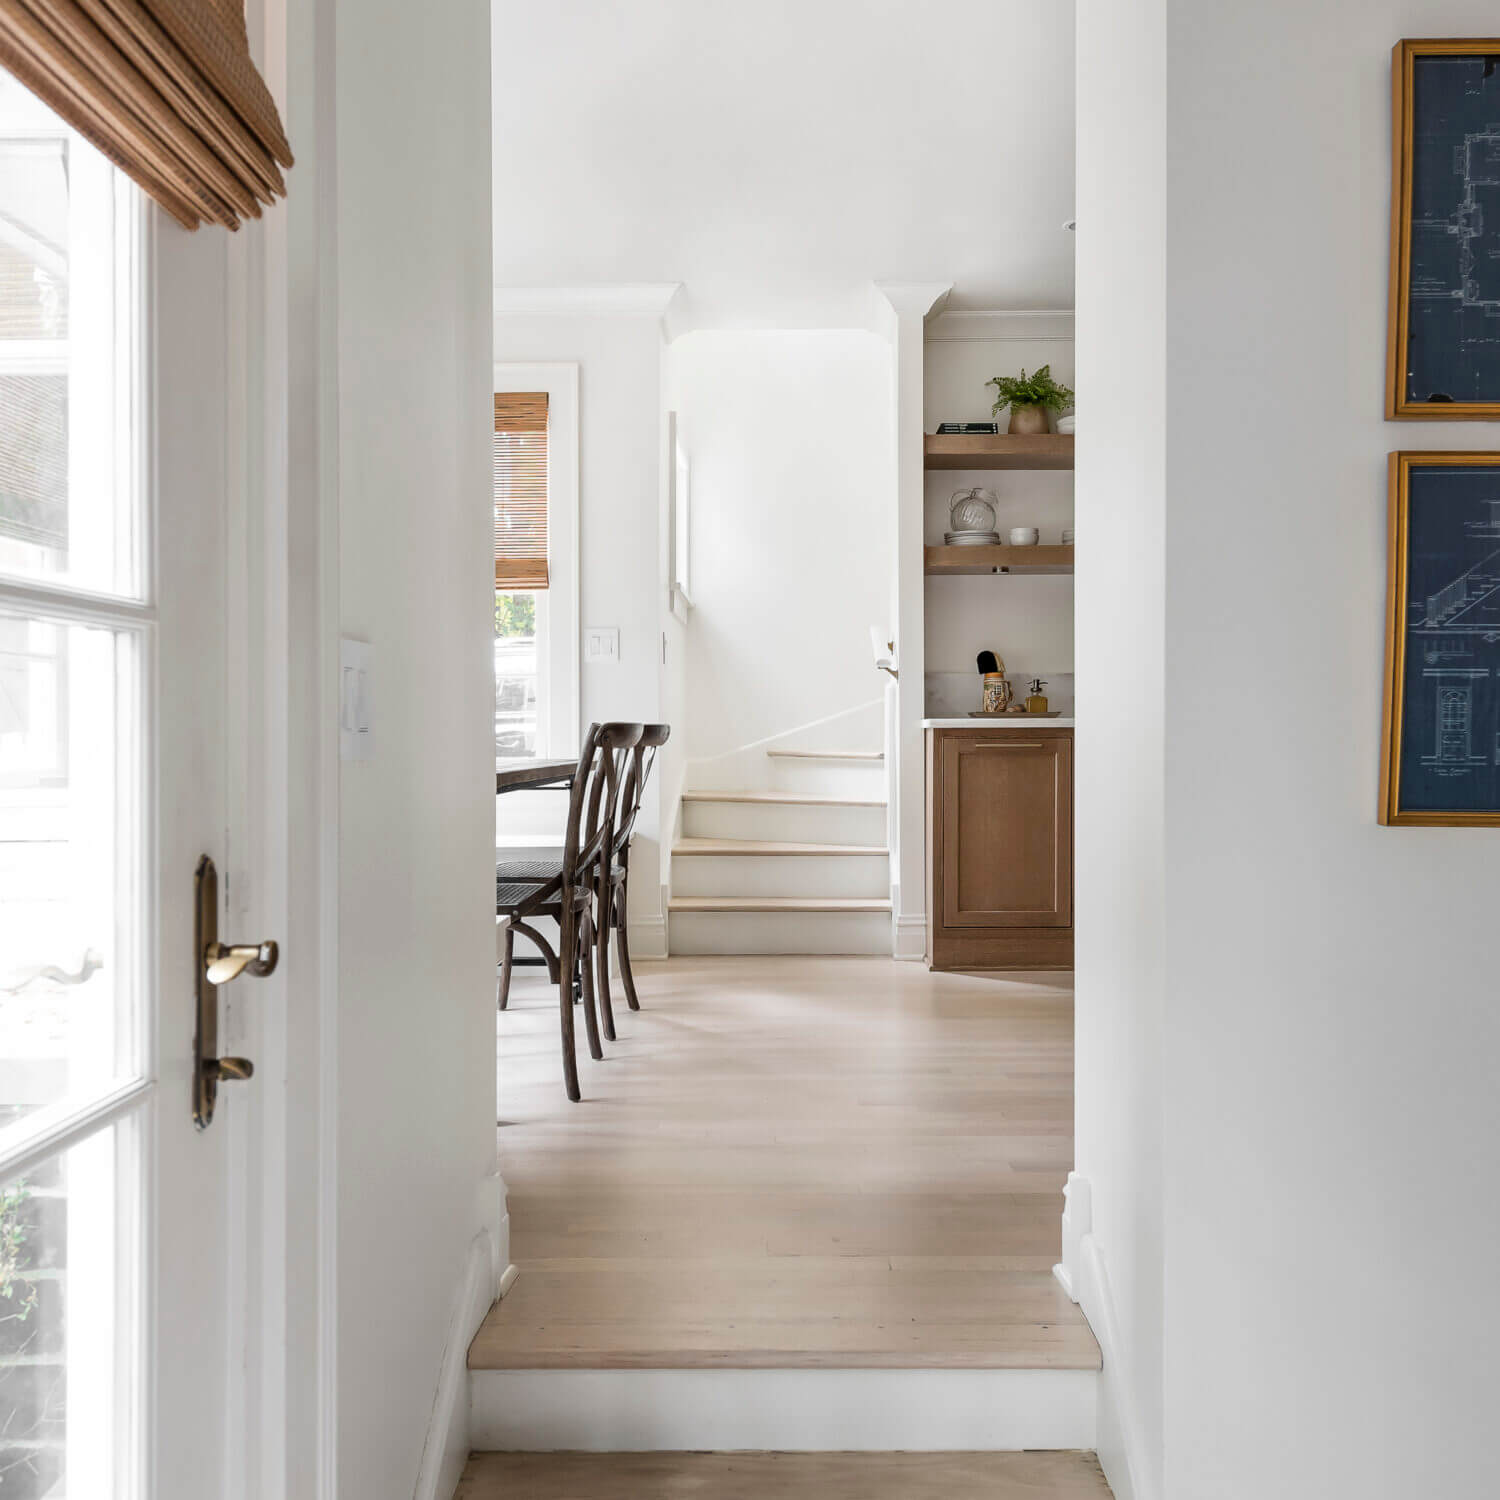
{"type": "Point", "coordinates": [565, 890]}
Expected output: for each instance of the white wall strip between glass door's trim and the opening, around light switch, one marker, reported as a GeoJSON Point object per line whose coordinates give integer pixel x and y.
{"type": "Point", "coordinates": [416, 917]}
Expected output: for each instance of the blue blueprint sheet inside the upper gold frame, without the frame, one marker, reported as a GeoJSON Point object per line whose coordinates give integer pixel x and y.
{"type": "Point", "coordinates": [1454, 308]}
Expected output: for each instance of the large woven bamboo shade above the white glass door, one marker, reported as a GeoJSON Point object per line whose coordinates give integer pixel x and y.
{"type": "Point", "coordinates": [166, 89]}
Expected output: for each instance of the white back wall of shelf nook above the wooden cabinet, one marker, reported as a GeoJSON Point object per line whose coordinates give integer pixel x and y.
{"type": "Point", "coordinates": [1028, 620]}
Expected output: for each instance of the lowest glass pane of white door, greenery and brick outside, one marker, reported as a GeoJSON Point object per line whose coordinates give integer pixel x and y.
{"type": "Point", "coordinates": [62, 1262]}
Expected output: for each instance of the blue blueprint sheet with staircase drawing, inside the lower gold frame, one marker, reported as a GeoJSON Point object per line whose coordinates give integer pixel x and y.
{"type": "Point", "coordinates": [1451, 695]}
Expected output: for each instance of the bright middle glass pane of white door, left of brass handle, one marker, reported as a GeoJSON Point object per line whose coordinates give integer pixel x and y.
{"type": "Point", "coordinates": [70, 848]}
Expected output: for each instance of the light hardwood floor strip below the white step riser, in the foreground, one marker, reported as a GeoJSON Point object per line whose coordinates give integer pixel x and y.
{"type": "Point", "coordinates": [791, 1477]}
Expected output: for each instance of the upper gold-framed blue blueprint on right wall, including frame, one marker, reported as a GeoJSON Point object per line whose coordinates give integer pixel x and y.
{"type": "Point", "coordinates": [1444, 344]}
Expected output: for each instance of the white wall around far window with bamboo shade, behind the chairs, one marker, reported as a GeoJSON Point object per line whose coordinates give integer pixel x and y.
{"type": "Point", "coordinates": [619, 353]}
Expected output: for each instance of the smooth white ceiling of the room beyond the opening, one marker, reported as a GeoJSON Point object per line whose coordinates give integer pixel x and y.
{"type": "Point", "coordinates": [776, 157]}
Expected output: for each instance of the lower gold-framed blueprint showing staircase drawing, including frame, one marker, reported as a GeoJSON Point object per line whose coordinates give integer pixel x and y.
{"type": "Point", "coordinates": [1441, 763]}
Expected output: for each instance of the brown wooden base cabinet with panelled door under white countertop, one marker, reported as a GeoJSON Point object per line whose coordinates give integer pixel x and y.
{"type": "Point", "coordinates": [1000, 848]}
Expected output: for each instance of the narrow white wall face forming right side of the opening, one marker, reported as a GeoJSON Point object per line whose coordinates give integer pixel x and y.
{"type": "Point", "coordinates": [1120, 746]}
